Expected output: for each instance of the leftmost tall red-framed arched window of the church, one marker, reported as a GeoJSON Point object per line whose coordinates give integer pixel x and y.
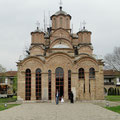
{"type": "Point", "coordinates": [28, 84]}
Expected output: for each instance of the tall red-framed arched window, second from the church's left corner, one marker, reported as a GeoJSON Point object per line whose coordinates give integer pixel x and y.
{"type": "Point", "coordinates": [38, 84]}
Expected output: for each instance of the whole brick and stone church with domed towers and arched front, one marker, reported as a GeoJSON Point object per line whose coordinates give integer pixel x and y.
{"type": "Point", "coordinates": [60, 60]}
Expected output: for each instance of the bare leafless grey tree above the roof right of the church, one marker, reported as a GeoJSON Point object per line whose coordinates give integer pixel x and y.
{"type": "Point", "coordinates": [112, 61]}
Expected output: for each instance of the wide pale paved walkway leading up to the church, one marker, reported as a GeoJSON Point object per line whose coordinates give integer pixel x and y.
{"type": "Point", "coordinates": [66, 111]}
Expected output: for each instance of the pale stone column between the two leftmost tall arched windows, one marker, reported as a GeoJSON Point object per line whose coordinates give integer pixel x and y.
{"type": "Point", "coordinates": [33, 87]}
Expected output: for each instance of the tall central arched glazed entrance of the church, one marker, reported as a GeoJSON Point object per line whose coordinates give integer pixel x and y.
{"type": "Point", "coordinates": [59, 76]}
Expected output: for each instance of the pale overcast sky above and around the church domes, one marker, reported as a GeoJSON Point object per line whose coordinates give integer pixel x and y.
{"type": "Point", "coordinates": [18, 19]}
